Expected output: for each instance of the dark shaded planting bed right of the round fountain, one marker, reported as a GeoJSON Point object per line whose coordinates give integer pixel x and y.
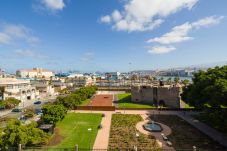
{"type": "Point", "coordinates": [184, 136]}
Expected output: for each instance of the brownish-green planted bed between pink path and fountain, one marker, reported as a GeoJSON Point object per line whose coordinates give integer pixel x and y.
{"type": "Point", "coordinates": [123, 134]}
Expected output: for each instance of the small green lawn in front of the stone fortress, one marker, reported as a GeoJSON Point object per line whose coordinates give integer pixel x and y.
{"type": "Point", "coordinates": [124, 101]}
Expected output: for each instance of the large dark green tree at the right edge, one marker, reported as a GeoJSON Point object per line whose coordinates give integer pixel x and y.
{"type": "Point", "coordinates": [208, 87]}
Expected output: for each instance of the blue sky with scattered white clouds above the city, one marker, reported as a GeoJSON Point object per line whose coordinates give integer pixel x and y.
{"type": "Point", "coordinates": [111, 35]}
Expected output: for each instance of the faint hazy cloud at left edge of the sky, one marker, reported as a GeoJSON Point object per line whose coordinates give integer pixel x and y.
{"type": "Point", "coordinates": [12, 32]}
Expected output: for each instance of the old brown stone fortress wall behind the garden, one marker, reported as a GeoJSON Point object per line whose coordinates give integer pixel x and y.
{"type": "Point", "coordinates": [168, 95]}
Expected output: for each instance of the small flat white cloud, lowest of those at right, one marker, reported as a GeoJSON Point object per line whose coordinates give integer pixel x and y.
{"type": "Point", "coordinates": [161, 49]}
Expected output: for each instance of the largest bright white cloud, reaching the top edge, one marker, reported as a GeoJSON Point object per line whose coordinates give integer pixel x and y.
{"type": "Point", "coordinates": [143, 15]}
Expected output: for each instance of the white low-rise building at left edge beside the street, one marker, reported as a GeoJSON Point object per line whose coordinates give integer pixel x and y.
{"type": "Point", "coordinates": [18, 89]}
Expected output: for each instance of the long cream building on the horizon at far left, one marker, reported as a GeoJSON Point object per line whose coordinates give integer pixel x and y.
{"type": "Point", "coordinates": [35, 73]}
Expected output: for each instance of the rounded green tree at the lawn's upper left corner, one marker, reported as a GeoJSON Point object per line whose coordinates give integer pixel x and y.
{"type": "Point", "coordinates": [53, 113]}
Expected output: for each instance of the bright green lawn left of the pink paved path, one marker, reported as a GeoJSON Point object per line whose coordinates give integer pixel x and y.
{"type": "Point", "coordinates": [73, 129]}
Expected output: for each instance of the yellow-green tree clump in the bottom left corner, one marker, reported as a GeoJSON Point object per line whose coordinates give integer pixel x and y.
{"type": "Point", "coordinates": [15, 133]}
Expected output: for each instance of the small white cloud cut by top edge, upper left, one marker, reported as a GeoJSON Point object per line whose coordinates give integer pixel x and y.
{"type": "Point", "coordinates": [53, 5]}
